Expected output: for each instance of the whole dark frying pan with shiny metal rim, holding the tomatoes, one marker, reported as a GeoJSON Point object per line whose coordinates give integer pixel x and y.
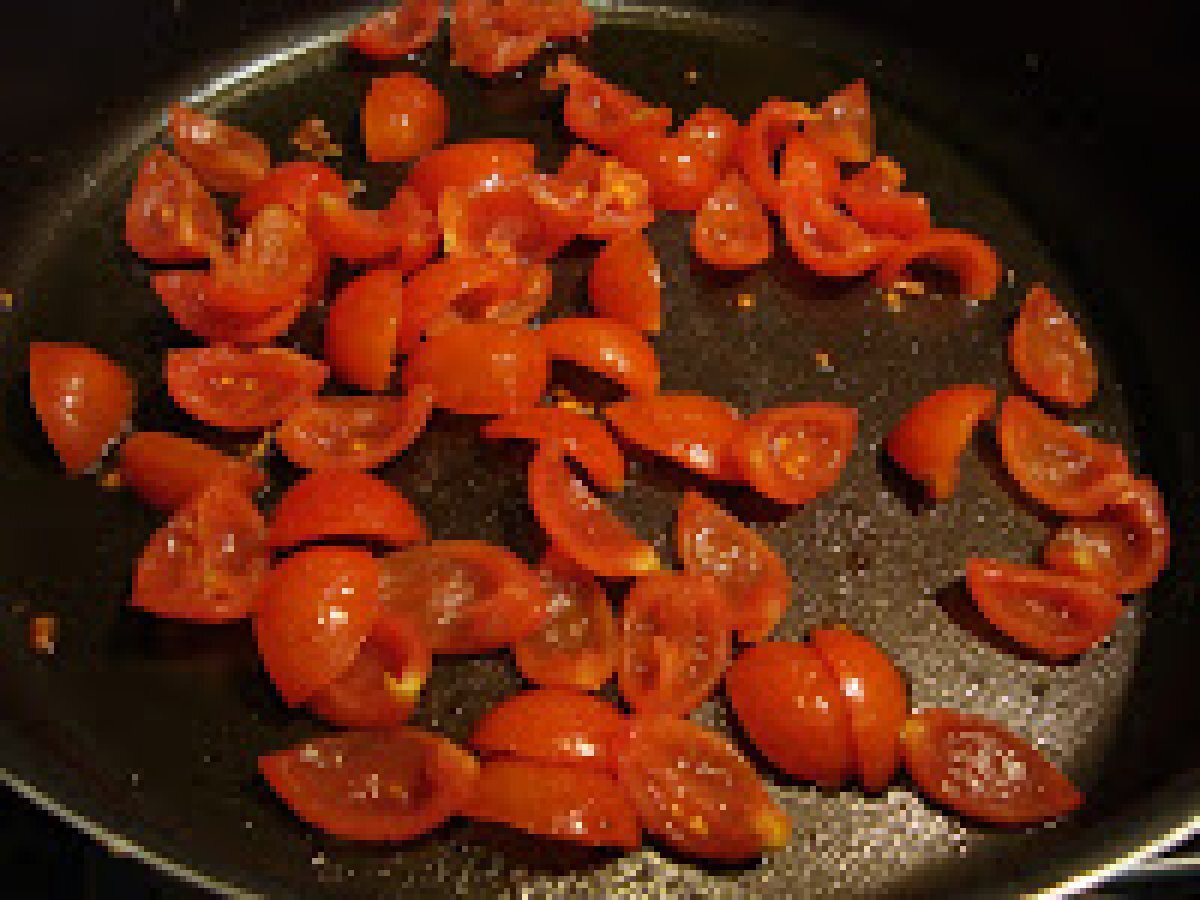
{"type": "Point", "coordinates": [145, 734]}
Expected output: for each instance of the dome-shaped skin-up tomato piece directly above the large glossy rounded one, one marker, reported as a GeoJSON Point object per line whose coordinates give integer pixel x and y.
{"type": "Point", "coordinates": [341, 503]}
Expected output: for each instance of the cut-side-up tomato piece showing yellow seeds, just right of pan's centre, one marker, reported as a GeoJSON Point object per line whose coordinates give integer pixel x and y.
{"type": "Point", "coordinates": [795, 454]}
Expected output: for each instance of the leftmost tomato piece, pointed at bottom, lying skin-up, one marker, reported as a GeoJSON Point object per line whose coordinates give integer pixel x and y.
{"type": "Point", "coordinates": [83, 401]}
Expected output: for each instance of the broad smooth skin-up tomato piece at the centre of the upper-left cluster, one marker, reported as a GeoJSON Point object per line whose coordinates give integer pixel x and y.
{"type": "Point", "coordinates": [482, 369]}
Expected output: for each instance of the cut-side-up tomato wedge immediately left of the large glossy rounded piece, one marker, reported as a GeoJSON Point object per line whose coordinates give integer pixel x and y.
{"type": "Point", "coordinates": [208, 563]}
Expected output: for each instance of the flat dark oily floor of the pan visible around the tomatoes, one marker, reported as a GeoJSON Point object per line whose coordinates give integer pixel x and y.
{"type": "Point", "coordinates": [159, 724]}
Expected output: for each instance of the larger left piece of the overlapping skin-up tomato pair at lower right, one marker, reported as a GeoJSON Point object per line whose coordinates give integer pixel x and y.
{"type": "Point", "coordinates": [793, 707]}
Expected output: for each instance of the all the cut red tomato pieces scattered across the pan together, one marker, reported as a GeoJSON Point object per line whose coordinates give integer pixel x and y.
{"type": "Point", "coordinates": [350, 597]}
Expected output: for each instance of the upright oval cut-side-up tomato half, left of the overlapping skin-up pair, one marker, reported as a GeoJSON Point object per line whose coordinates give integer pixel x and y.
{"type": "Point", "coordinates": [676, 641]}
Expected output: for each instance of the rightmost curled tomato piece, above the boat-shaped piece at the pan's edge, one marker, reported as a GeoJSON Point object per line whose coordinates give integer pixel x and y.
{"type": "Point", "coordinates": [1125, 547]}
